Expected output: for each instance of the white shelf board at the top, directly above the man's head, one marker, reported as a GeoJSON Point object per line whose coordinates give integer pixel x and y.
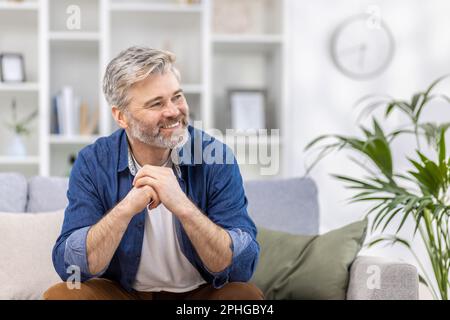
{"type": "Point", "coordinates": [156, 7]}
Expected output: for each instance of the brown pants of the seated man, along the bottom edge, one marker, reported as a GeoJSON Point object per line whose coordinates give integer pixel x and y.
{"type": "Point", "coordinates": [104, 289]}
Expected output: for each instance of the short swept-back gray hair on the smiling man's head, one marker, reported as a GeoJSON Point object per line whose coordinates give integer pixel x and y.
{"type": "Point", "coordinates": [130, 66]}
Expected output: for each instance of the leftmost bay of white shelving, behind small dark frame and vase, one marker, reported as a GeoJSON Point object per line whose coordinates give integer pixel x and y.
{"type": "Point", "coordinates": [19, 32]}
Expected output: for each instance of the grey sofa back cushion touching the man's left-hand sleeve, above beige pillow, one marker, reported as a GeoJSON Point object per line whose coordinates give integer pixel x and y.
{"type": "Point", "coordinates": [47, 194]}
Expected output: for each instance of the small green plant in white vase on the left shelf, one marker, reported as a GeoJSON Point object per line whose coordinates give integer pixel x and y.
{"type": "Point", "coordinates": [20, 128]}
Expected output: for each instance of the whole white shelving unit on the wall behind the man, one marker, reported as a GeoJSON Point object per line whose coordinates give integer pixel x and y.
{"type": "Point", "coordinates": [210, 60]}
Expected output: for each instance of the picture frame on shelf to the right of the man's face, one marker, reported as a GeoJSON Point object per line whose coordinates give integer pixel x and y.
{"type": "Point", "coordinates": [247, 108]}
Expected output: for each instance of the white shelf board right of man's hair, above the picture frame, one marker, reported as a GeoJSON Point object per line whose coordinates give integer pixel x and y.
{"type": "Point", "coordinates": [233, 43]}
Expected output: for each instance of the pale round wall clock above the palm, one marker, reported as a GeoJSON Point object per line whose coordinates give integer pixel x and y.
{"type": "Point", "coordinates": [362, 48]}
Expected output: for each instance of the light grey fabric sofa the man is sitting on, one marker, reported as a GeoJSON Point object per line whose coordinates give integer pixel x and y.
{"type": "Point", "coordinates": [288, 205]}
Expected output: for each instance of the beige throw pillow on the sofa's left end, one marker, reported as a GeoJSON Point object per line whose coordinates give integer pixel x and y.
{"type": "Point", "coordinates": [26, 243]}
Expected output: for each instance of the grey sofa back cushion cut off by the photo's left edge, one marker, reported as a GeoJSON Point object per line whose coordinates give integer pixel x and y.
{"type": "Point", "coordinates": [13, 192]}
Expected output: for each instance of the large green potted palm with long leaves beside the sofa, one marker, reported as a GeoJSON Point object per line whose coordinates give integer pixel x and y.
{"type": "Point", "coordinates": [421, 193]}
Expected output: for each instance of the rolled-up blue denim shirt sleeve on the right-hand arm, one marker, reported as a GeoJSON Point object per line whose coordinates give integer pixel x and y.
{"type": "Point", "coordinates": [227, 207]}
